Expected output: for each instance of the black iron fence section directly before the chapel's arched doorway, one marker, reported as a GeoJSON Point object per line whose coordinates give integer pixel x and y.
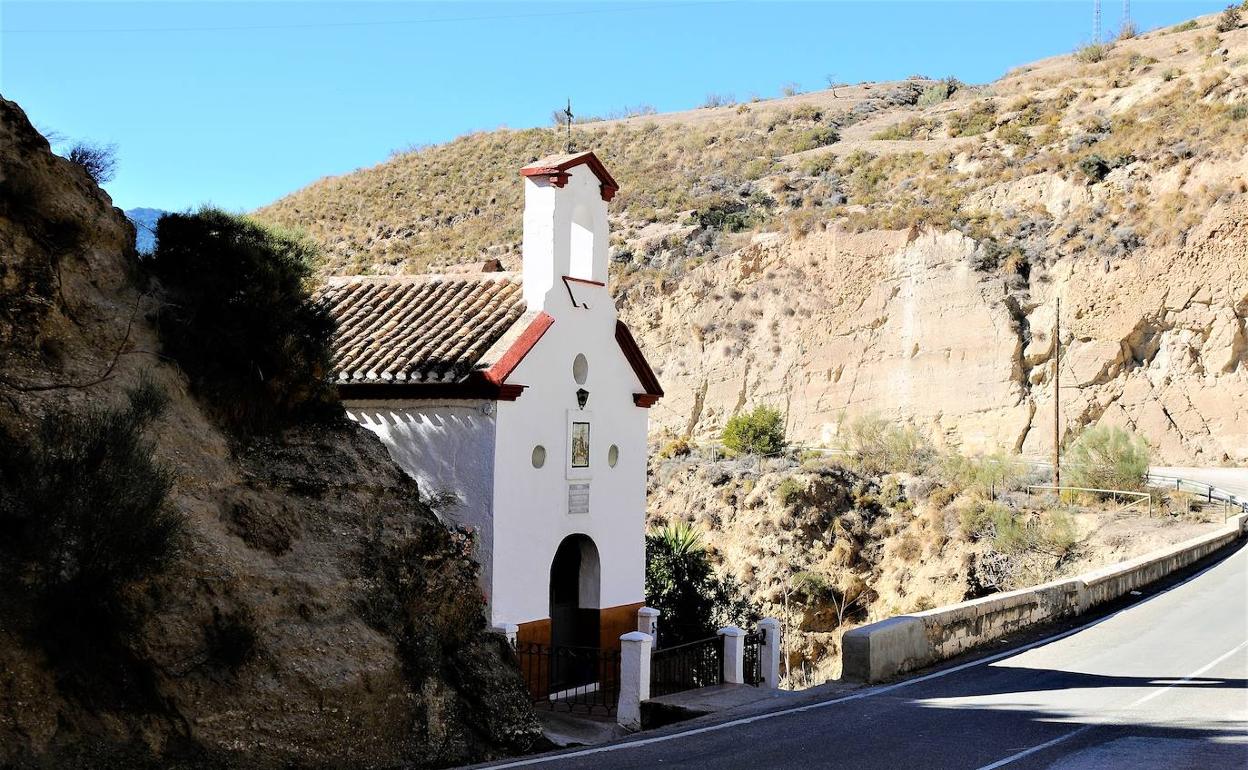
{"type": "Point", "coordinates": [582, 680]}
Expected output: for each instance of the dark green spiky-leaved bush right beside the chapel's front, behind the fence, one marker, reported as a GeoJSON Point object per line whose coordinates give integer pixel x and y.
{"type": "Point", "coordinates": [682, 586]}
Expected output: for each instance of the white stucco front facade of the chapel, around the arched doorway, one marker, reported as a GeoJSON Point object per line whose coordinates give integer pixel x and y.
{"type": "Point", "coordinates": [532, 515]}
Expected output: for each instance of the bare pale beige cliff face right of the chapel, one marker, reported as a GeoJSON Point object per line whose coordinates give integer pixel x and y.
{"type": "Point", "coordinates": [903, 325]}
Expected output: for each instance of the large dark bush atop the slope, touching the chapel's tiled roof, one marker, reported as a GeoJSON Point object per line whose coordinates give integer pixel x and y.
{"type": "Point", "coordinates": [241, 321]}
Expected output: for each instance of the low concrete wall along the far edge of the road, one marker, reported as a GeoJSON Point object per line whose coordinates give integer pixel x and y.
{"type": "Point", "coordinates": [897, 646]}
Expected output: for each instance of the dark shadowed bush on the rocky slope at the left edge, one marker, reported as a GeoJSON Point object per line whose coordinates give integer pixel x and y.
{"type": "Point", "coordinates": [85, 514]}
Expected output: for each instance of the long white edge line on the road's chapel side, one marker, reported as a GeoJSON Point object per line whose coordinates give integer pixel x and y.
{"type": "Point", "coordinates": [870, 693]}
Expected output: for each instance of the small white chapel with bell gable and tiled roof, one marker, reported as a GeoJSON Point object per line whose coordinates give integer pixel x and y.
{"type": "Point", "coordinates": [527, 397]}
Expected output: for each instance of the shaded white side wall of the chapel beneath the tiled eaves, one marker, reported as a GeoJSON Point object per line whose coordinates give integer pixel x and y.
{"type": "Point", "coordinates": [445, 446]}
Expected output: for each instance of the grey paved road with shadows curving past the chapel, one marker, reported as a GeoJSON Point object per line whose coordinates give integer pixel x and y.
{"type": "Point", "coordinates": [1163, 685]}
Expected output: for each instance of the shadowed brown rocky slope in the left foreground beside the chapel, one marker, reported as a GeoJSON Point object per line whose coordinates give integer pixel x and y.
{"type": "Point", "coordinates": [319, 615]}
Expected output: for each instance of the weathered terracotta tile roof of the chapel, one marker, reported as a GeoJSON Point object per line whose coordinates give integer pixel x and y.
{"type": "Point", "coordinates": [420, 329]}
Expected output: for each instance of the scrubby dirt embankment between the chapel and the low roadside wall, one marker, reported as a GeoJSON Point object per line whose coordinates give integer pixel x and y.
{"type": "Point", "coordinates": [826, 548]}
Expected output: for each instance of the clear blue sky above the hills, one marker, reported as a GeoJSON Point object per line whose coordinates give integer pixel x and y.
{"type": "Point", "coordinates": [238, 104]}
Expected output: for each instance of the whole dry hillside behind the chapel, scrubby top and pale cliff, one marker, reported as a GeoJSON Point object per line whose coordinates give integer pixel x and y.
{"type": "Point", "coordinates": [898, 248]}
